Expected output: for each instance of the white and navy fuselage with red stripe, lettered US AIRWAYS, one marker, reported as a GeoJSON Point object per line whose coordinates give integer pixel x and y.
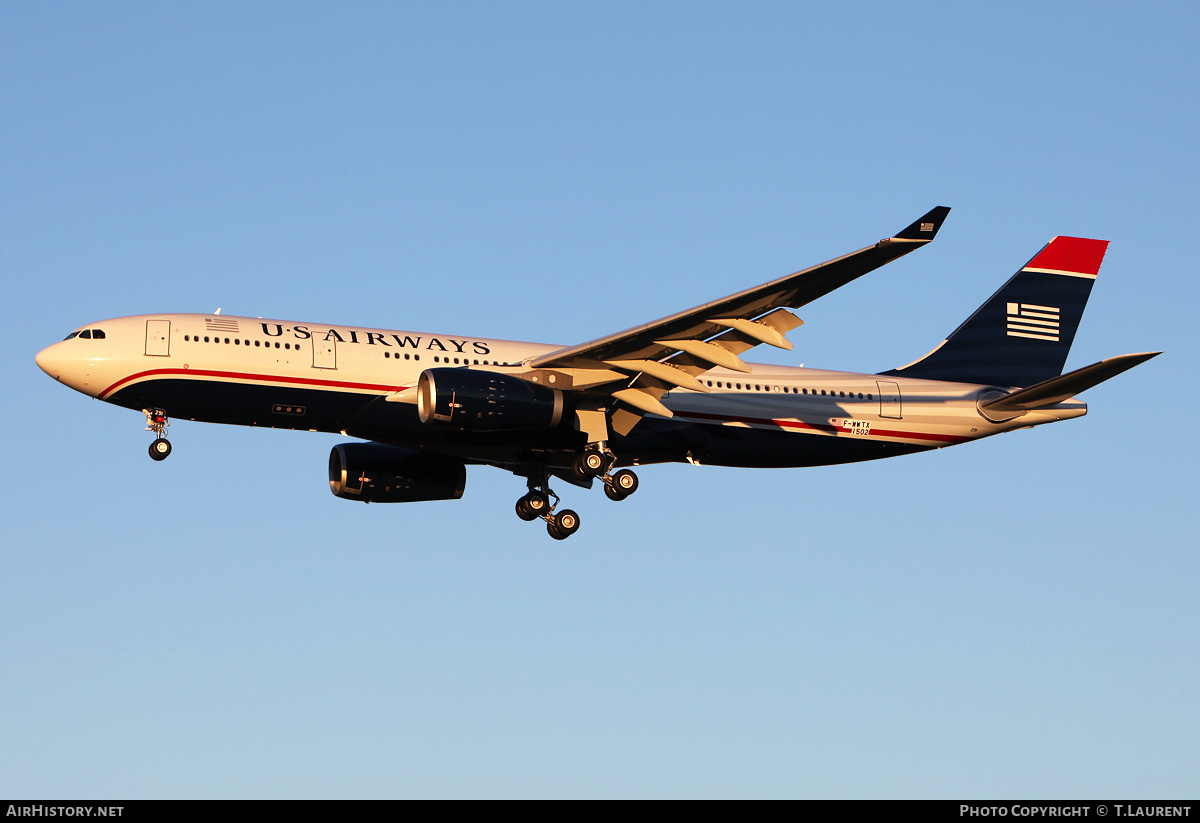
{"type": "Point", "coordinates": [321, 377]}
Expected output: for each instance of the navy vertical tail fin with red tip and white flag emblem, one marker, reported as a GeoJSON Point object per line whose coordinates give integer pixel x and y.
{"type": "Point", "coordinates": [1024, 333]}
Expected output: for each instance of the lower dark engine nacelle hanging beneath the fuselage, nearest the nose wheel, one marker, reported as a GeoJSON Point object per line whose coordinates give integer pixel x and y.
{"type": "Point", "coordinates": [373, 473]}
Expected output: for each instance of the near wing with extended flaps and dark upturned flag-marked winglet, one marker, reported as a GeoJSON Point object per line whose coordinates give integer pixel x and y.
{"type": "Point", "coordinates": [639, 365]}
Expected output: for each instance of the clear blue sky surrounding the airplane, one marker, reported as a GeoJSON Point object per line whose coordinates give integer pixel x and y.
{"type": "Point", "coordinates": [1011, 618]}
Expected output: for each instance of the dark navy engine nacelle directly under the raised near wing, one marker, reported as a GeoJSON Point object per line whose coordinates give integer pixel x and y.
{"type": "Point", "coordinates": [479, 401]}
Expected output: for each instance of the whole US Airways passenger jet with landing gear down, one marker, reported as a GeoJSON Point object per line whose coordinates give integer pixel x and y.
{"type": "Point", "coordinates": [675, 391]}
